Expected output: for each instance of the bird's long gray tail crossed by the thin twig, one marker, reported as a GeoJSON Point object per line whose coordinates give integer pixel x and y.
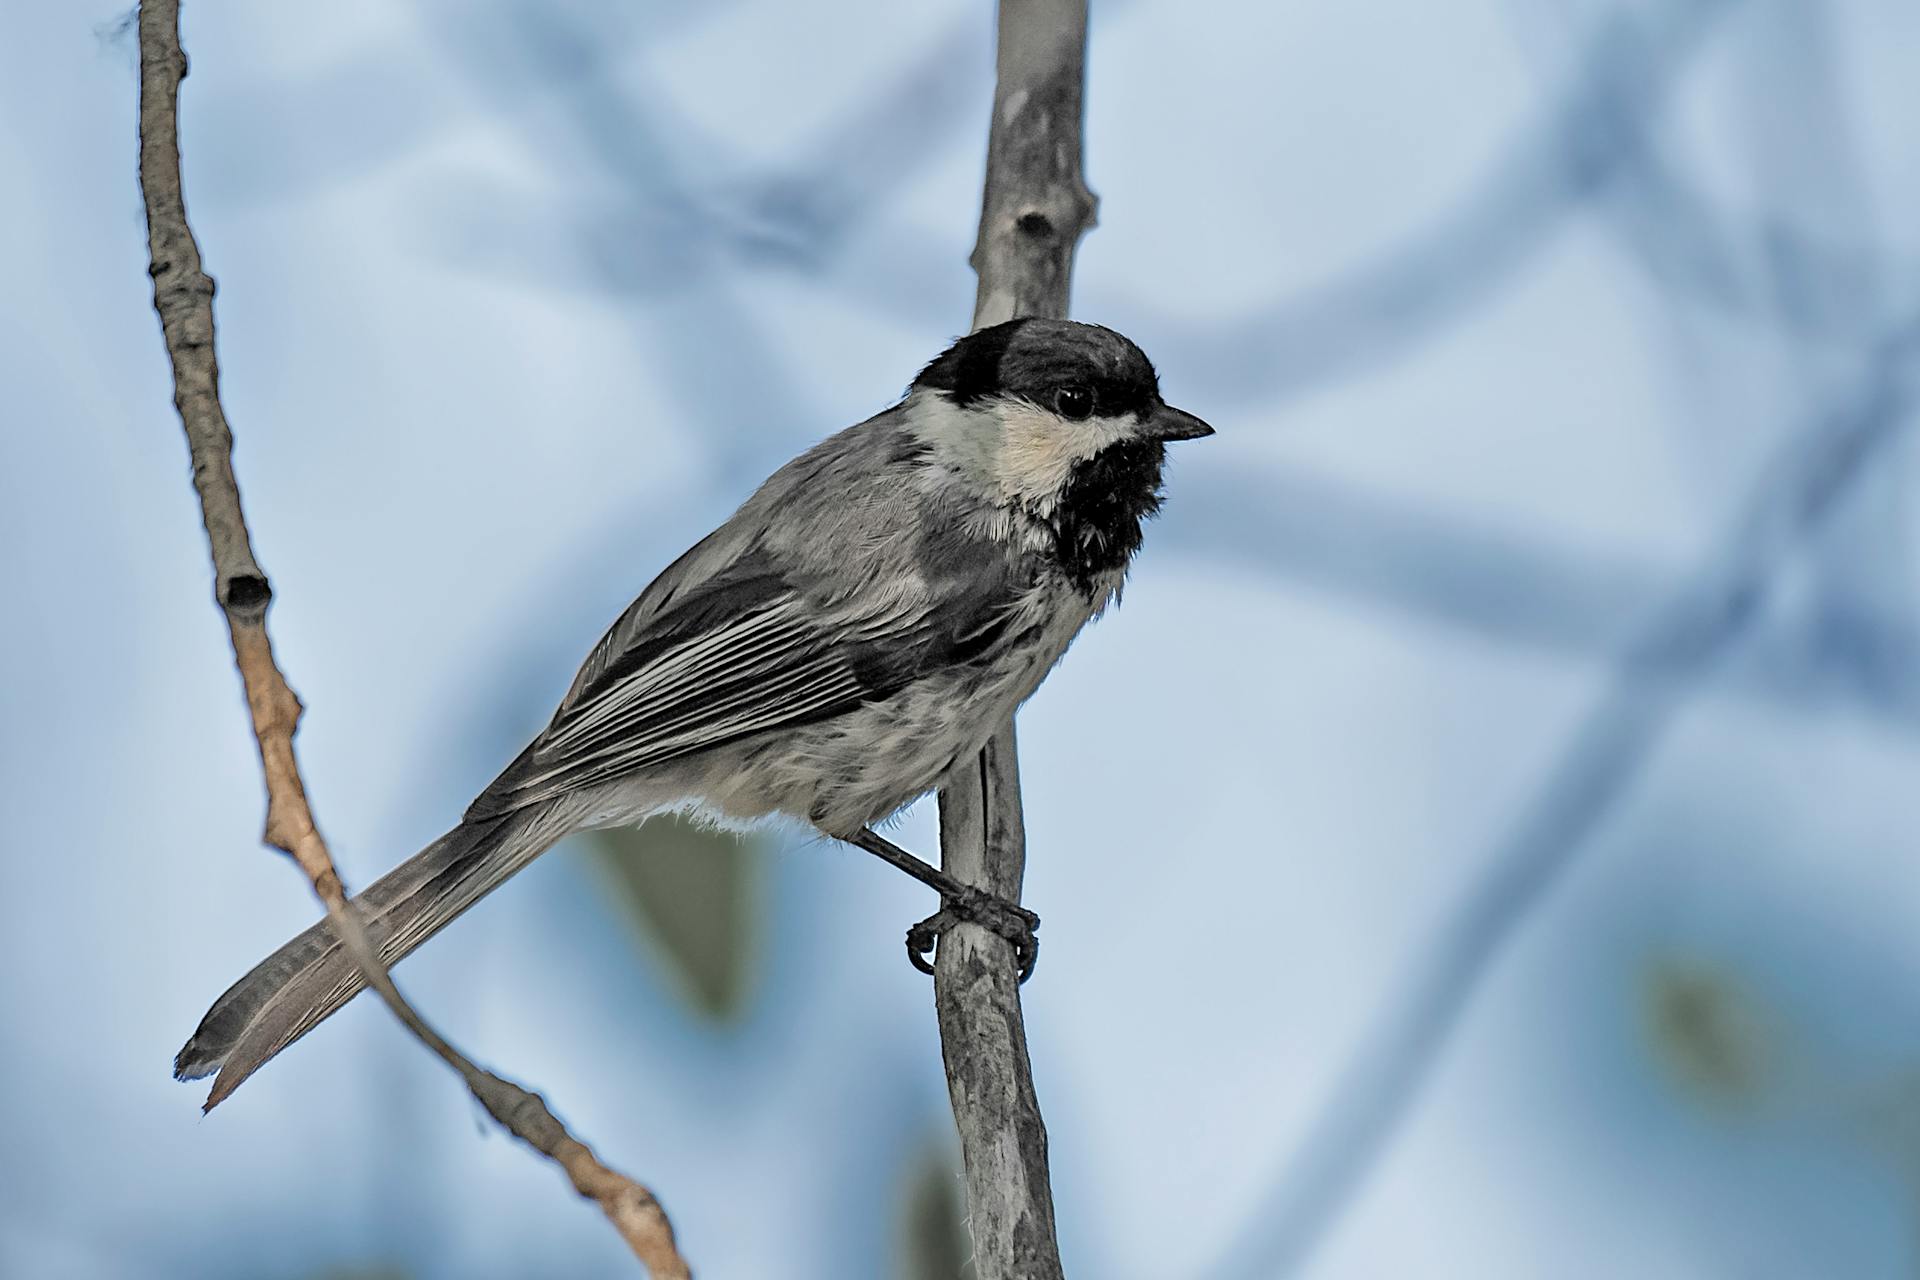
{"type": "Point", "coordinates": [306, 982]}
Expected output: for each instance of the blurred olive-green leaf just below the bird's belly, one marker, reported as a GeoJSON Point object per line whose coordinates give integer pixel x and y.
{"type": "Point", "coordinates": [696, 893]}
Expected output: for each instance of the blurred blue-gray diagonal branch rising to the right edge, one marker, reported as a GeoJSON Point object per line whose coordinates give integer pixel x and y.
{"type": "Point", "coordinates": [1706, 619]}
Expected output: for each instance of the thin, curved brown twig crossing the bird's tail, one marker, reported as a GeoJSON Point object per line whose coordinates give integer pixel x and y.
{"type": "Point", "coordinates": [183, 296]}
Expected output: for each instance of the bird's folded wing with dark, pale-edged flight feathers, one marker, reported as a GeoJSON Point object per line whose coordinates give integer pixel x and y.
{"type": "Point", "coordinates": [742, 653]}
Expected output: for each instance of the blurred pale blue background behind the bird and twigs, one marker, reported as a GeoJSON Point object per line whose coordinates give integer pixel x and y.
{"type": "Point", "coordinates": [1506, 312]}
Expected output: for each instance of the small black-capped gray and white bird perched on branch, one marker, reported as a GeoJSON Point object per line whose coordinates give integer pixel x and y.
{"type": "Point", "coordinates": [867, 621]}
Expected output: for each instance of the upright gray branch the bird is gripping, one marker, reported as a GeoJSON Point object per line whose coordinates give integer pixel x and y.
{"type": "Point", "coordinates": [1034, 214]}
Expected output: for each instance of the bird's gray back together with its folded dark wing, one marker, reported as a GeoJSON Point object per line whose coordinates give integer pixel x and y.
{"type": "Point", "coordinates": [836, 584]}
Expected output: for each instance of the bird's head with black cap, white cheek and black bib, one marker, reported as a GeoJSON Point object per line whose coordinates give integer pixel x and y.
{"type": "Point", "coordinates": [1059, 421]}
